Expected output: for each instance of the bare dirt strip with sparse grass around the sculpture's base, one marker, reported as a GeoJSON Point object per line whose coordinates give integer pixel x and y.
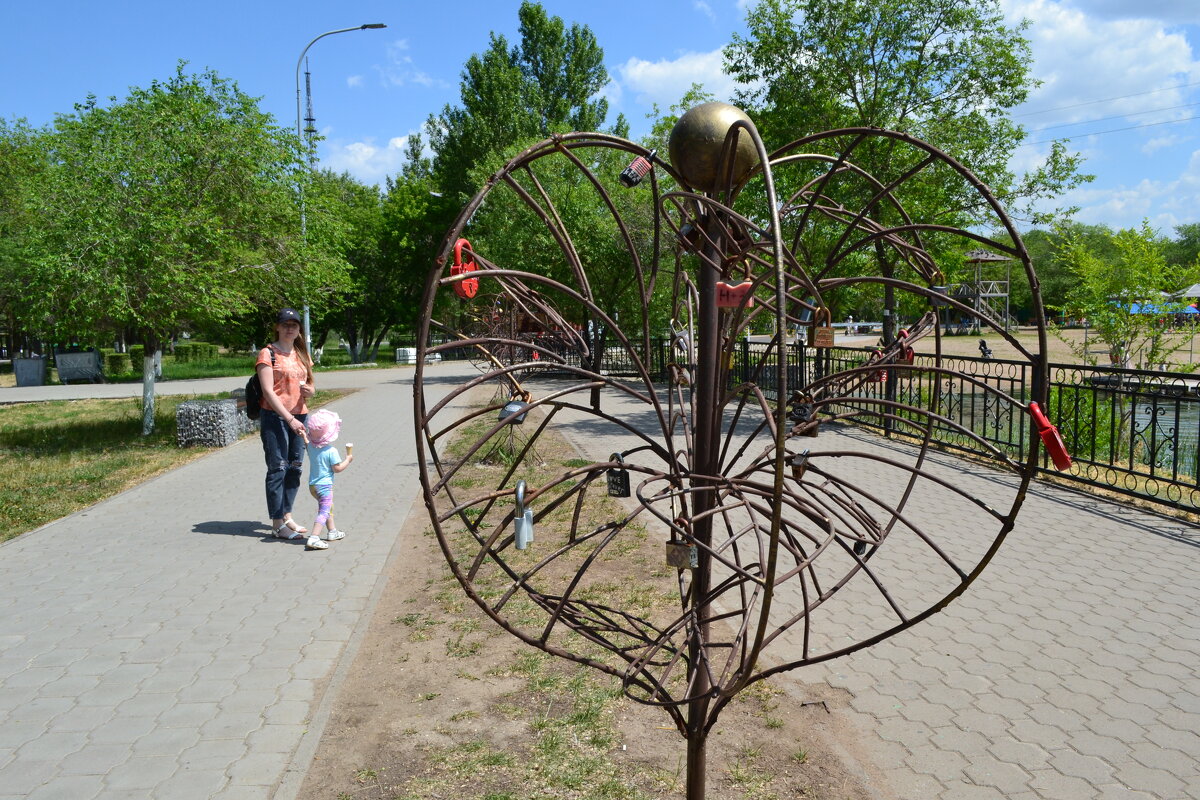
{"type": "Point", "coordinates": [442, 703]}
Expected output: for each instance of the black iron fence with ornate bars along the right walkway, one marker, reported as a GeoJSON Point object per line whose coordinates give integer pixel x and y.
{"type": "Point", "coordinates": [1129, 431]}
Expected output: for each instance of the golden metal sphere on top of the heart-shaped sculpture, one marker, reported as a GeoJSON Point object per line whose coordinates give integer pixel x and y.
{"type": "Point", "coordinates": [699, 140]}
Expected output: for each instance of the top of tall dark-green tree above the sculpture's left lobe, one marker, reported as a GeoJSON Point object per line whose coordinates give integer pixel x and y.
{"type": "Point", "coordinates": [512, 95]}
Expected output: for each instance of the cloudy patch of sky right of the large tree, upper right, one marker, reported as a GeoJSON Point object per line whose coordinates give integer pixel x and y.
{"type": "Point", "coordinates": [1119, 65]}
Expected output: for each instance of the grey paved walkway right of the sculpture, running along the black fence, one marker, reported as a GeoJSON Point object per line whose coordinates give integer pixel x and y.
{"type": "Point", "coordinates": [1069, 671]}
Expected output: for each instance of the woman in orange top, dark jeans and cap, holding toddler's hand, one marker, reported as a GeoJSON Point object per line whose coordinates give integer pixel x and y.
{"type": "Point", "coordinates": [285, 371]}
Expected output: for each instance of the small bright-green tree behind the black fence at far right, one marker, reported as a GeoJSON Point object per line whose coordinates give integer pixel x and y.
{"type": "Point", "coordinates": [1123, 297]}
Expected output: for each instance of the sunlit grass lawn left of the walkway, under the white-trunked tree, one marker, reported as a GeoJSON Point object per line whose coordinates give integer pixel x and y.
{"type": "Point", "coordinates": [68, 455]}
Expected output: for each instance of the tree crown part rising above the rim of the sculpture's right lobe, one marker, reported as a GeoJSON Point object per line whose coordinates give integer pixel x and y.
{"type": "Point", "coordinates": [946, 71]}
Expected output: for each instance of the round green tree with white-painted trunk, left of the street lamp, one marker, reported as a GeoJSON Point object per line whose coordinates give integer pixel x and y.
{"type": "Point", "coordinates": [173, 207]}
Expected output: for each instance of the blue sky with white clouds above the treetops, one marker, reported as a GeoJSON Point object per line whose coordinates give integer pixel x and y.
{"type": "Point", "coordinates": [1120, 77]}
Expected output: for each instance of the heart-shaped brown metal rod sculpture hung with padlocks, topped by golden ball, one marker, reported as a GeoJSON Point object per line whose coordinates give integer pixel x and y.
{"type": "Point", "coordinates": [779, 524]}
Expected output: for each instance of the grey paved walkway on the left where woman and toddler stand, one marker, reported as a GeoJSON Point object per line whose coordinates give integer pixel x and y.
{"type": "Point", "coordinates": [163, 646]}
